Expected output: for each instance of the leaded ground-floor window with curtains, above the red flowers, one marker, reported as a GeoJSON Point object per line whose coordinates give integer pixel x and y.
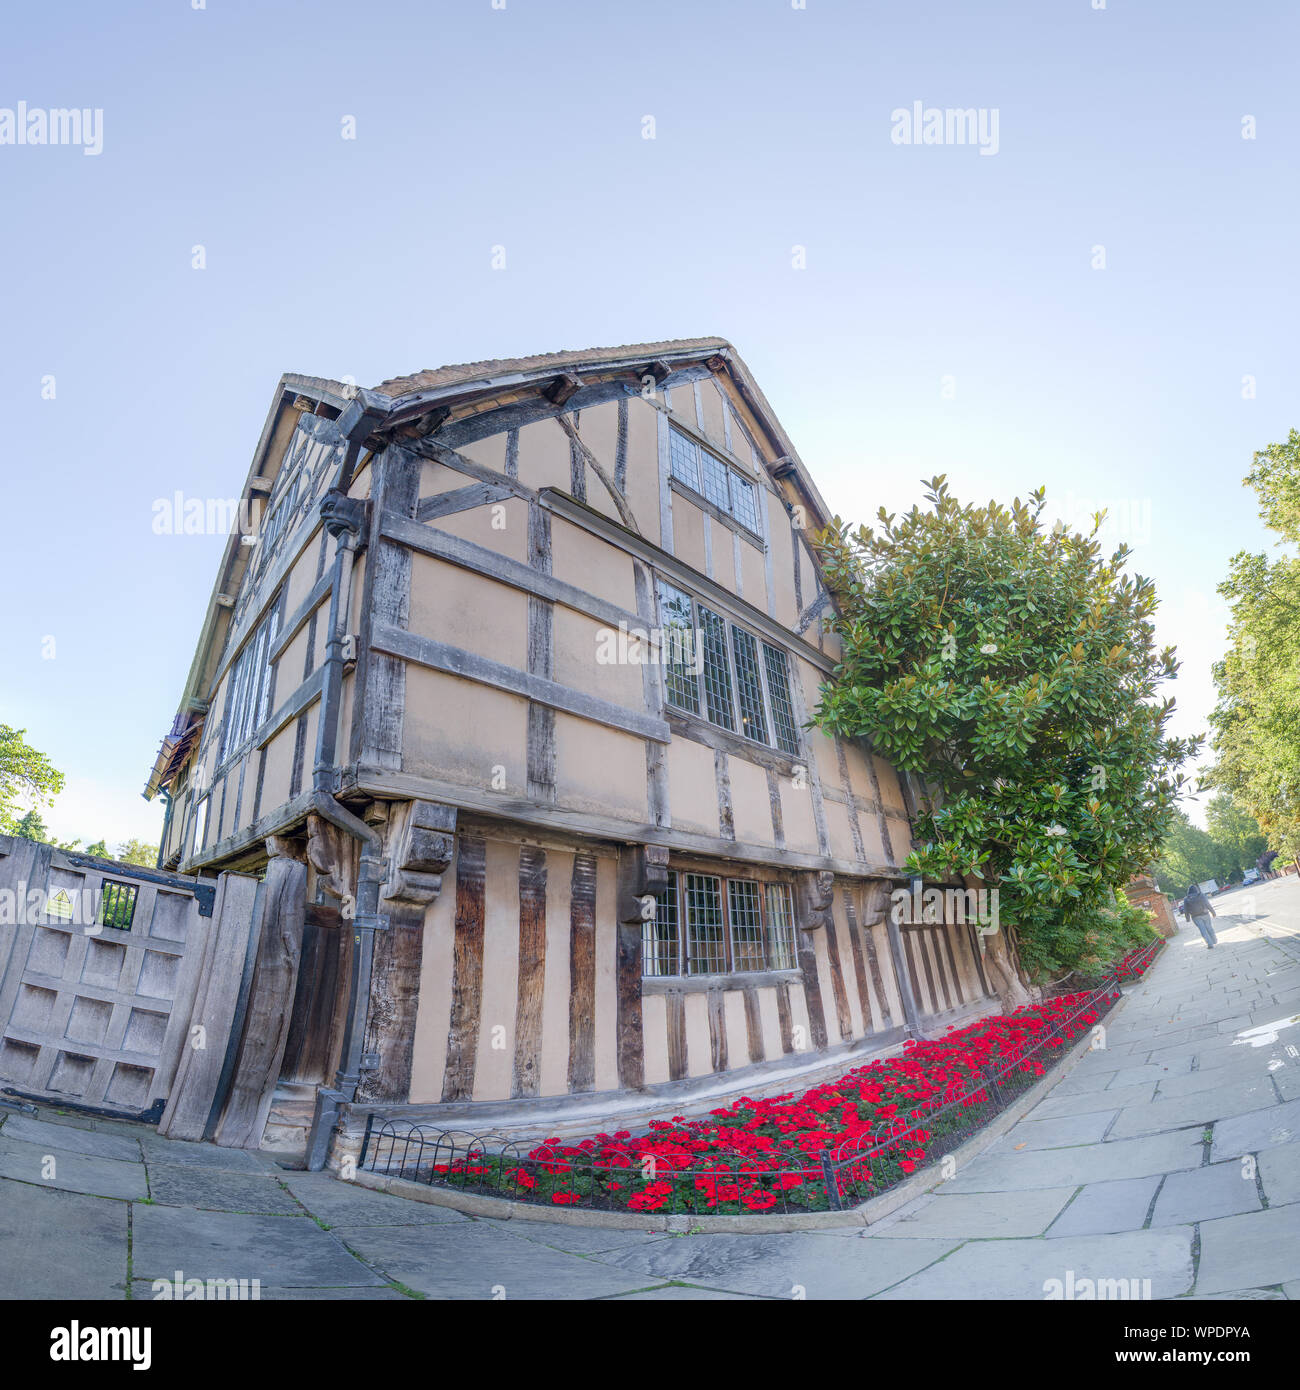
{"type": "Point", "coordinates": [708, 925]}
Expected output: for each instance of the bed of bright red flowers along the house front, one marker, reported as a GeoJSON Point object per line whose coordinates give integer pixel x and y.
{"type": "Point", "coordinates": [877, 1122]}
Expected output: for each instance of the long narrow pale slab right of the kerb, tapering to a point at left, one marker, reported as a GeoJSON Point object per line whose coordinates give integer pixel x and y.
{"type": "Point", "coordinates": [1000, 1171]}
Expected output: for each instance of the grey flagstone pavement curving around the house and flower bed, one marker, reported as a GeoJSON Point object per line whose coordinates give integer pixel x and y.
{"type": "Point", "coordinates": [1171, 1156]}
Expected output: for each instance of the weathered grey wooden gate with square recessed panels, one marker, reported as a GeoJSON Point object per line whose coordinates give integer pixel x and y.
{"type": "Point", "coordinates": [99, 965]}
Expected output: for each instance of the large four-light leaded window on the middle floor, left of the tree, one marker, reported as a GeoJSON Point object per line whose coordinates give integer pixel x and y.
{"type": "Point", "coordinates": [725, 675]}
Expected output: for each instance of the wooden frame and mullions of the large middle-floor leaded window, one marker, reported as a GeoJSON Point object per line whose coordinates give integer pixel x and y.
{"type": "Point", "coordinates": [700, 683]}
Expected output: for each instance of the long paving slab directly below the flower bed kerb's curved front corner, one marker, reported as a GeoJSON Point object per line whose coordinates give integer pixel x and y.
{"type": "Point", "coordinates": [782, 1267]}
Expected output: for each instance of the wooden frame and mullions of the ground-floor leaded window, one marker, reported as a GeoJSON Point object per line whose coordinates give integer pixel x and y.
{"type": "Point", "coordinates": [657, 949]}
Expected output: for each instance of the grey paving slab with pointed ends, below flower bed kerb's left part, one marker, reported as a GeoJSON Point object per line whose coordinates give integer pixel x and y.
{"type": "Point", "coordinates": [478, 1260]}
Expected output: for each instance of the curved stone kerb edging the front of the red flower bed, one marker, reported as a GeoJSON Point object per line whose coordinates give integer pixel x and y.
{"type": "Point", "coordinates": [866, 1214]}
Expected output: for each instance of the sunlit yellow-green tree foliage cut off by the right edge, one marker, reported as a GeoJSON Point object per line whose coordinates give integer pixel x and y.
{"type": "Point", "coordinates": [1256, 725]}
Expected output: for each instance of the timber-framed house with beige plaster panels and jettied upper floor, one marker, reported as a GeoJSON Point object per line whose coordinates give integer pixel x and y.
{"type": "Point", "coordinates": [505, 693]}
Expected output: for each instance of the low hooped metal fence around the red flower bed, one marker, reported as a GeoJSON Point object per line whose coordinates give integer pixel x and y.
{"type": "Point", "coordinates": [733, 1179]}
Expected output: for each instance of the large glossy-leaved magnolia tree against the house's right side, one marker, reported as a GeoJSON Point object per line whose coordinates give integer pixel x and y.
{"type": "Point", "coordinates": [1014, 669]}
